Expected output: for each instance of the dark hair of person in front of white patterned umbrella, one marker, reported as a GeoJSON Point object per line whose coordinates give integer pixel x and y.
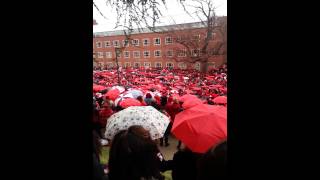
{"type": "Point", "coordinates": [133, 155]}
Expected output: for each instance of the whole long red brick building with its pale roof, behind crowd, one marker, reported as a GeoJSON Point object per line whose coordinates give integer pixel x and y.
{"type": "Point", "coordinates": [162, 47]}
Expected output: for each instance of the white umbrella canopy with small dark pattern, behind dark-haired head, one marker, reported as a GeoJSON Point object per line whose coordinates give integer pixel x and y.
{"type": "Point", "coordinates": [146, 116]}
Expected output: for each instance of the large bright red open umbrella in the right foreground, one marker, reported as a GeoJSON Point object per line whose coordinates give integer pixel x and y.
{"type": "Point", "coordinates": [201, 126]}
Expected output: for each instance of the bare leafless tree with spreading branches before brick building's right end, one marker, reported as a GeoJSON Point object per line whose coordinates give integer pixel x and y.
{"type": "Point", "coordinates": [212, 42]}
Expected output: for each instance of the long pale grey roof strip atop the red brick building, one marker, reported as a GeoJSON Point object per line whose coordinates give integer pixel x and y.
{"type": "Point", "coordinates": [193, 25]}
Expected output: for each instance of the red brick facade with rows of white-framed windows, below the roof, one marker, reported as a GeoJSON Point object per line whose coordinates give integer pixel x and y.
{"type": "Point", "coordinates": [104, 49]}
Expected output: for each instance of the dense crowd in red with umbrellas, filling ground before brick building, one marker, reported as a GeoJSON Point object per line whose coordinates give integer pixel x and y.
{"type": "Point", "coordinates": [133, 154]}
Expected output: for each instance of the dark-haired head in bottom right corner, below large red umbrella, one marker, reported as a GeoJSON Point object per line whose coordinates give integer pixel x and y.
{"type": "Point", "coordinates": [213, 164]}
